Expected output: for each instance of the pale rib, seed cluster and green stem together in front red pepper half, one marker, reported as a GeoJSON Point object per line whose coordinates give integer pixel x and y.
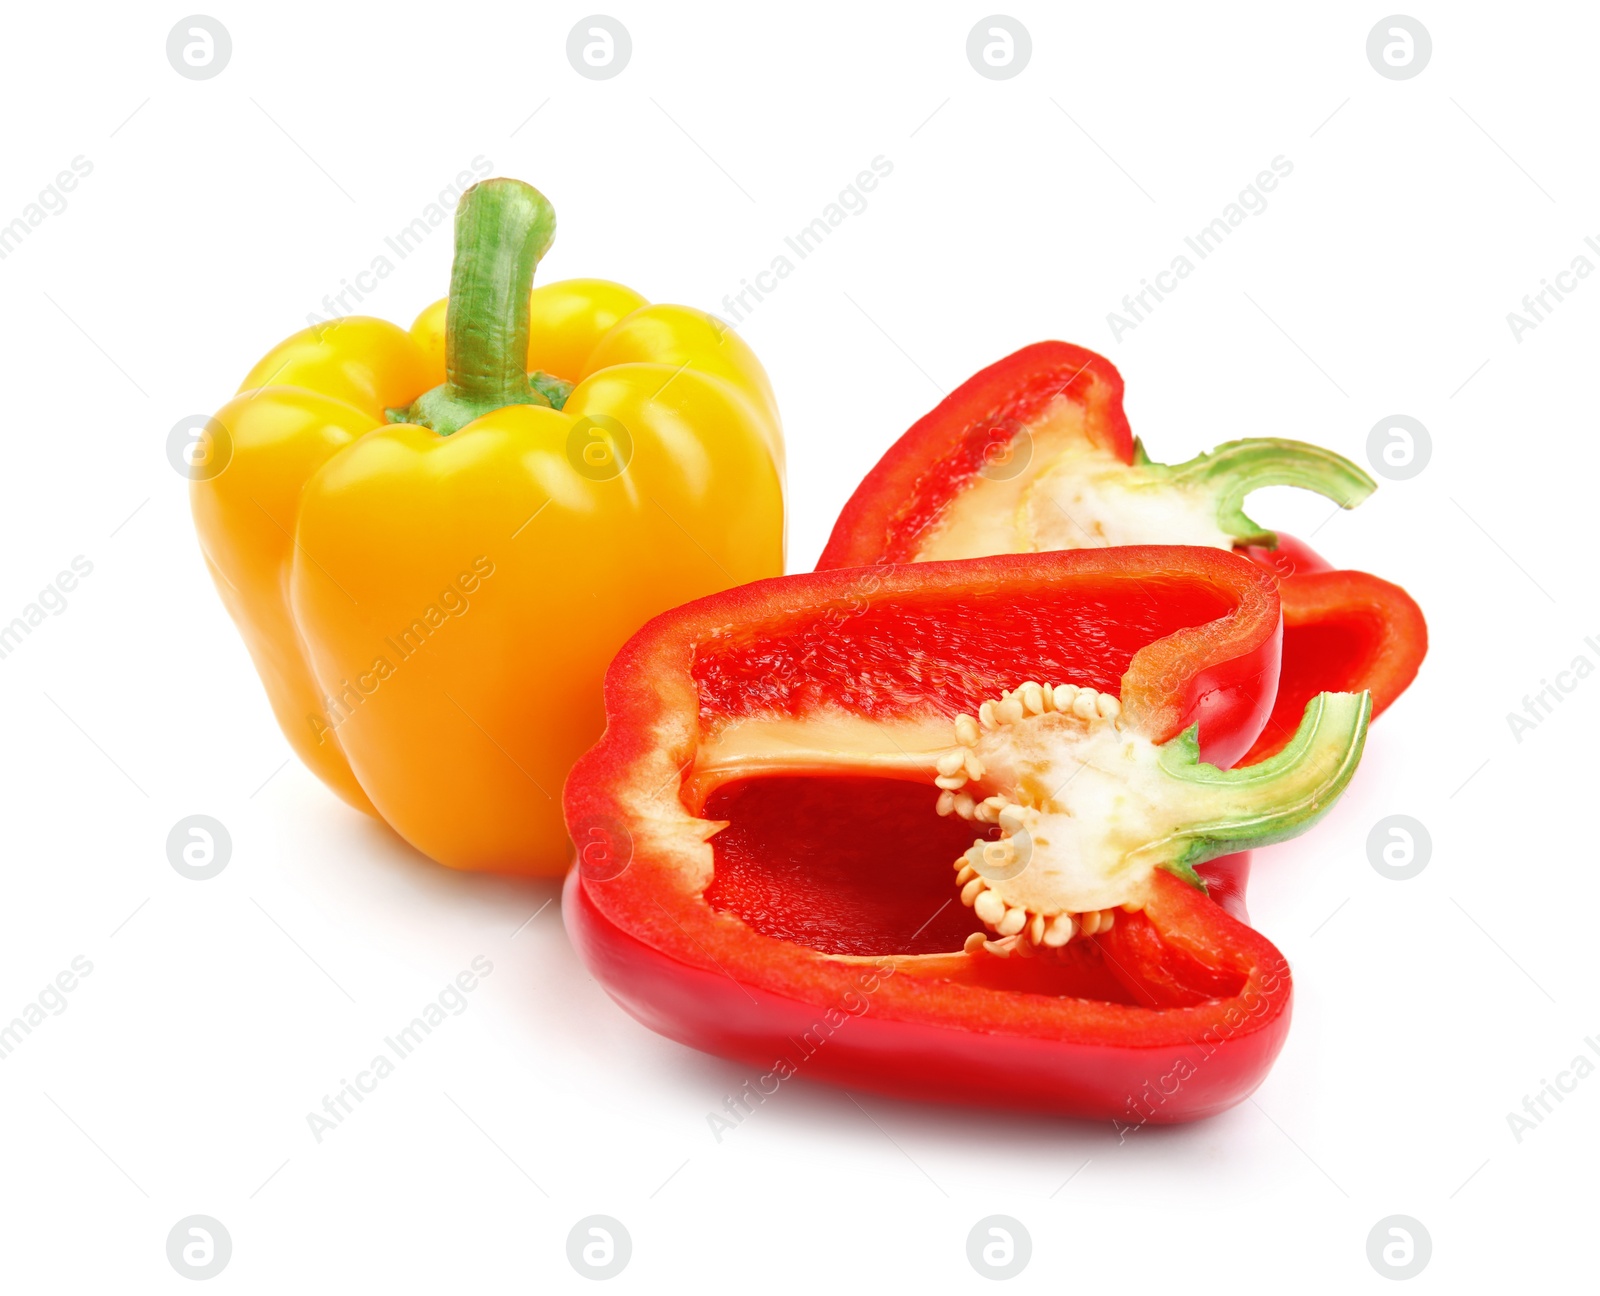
{"type": "Point", "coordinates": [1087, 806]}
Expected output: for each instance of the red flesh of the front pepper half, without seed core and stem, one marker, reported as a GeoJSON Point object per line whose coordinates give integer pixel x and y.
{"type": "Point", "coordinates": [738, 900]}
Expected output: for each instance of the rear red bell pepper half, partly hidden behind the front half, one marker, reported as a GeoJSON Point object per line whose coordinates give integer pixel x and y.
{"type": "Point", "coordinates": [1036, 454]}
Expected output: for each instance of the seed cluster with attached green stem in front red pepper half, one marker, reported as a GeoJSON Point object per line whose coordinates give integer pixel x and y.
{"type": "Point", "coordinates": [1089, 807]}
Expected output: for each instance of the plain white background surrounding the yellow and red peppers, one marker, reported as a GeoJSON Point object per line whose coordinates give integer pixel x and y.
{"type": "Point", "coordinates": [1377, 282]}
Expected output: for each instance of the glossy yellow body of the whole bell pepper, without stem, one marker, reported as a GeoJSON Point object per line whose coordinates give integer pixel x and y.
{"type": "Point", "coordinates": [433, 615]}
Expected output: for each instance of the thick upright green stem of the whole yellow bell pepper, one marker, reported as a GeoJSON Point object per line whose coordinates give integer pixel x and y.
{"type": "Point", "coordinates": [503, 228]}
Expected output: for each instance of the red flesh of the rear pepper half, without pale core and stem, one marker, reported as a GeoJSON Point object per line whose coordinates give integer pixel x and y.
{"type": "Point", "coordinates": [1345, 631]}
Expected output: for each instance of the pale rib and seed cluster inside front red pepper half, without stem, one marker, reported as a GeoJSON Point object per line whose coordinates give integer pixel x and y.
{"type": "Point", "coordinates": [1050, 764]}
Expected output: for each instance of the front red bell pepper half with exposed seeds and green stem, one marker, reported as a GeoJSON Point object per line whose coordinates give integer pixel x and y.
{"type": "Point", "coordinates": [932, 831]}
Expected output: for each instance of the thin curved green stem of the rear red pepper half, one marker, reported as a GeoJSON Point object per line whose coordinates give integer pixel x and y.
{"type": "Point", "coordinates": [1239, 468]}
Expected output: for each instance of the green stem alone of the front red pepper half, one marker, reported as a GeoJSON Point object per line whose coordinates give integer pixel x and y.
{"type": "Point", "coordinates": [1233, 810]}
